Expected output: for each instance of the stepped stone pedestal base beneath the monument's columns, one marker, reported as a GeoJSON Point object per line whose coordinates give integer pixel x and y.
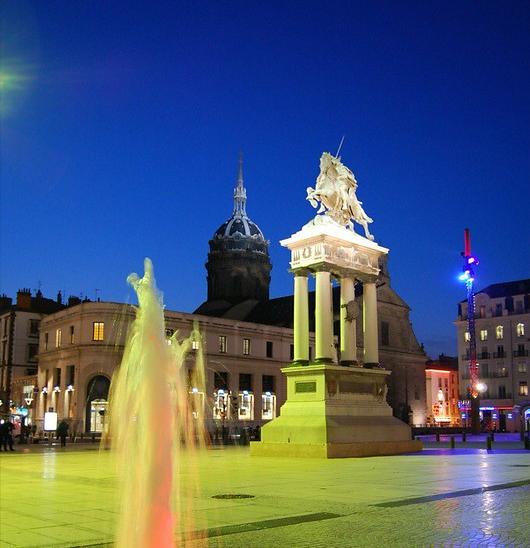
{"type": "Point", "coordinates": [332, 412]}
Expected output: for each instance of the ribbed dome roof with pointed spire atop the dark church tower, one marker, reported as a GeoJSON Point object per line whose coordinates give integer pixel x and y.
{"type": "Point", "coordinates": [239, 226]}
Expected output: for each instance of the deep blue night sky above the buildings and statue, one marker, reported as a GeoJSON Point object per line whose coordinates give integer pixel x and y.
{"type": "Point", "coordinates": [122, 123]}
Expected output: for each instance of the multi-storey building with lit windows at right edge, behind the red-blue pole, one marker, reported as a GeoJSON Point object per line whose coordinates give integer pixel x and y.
{"type": "Point", "coordinates": [502, 330]}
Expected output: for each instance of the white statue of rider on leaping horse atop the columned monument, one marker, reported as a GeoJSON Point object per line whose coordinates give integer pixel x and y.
{"type": "Point", "coordinates": [335, 190]}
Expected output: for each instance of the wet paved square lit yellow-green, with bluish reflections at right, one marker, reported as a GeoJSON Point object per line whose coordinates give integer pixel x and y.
{"type": "Point", "coordinates": [471, 497]}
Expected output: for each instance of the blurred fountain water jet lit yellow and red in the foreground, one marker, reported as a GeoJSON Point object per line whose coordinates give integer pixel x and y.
{"type": "Point", "coordinates": [153, 417]}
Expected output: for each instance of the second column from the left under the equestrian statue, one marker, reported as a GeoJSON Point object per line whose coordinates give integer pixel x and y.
{"type": "Point", "coordinates": [323, 318]}
